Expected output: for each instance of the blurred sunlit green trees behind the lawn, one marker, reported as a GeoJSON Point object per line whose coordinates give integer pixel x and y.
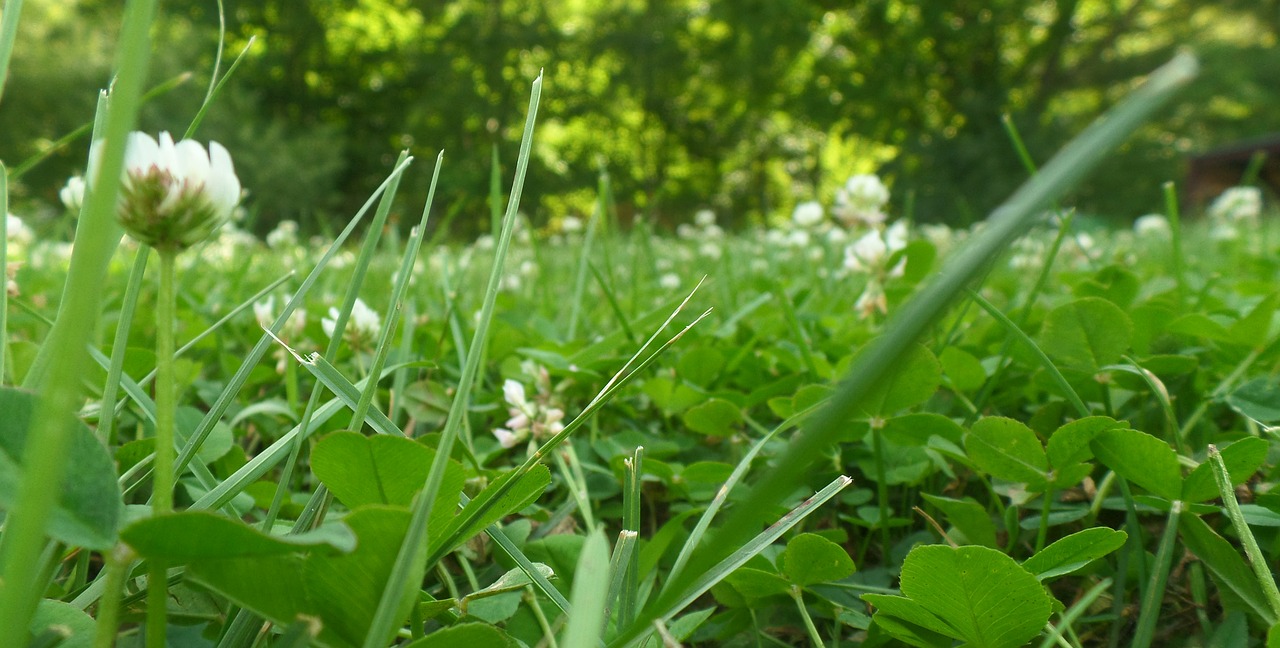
{"type": "Point", "coordinates": [744, 107]}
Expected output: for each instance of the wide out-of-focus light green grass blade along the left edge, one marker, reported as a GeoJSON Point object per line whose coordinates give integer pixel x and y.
{"type": "Point", "coordinates": [63, 353]}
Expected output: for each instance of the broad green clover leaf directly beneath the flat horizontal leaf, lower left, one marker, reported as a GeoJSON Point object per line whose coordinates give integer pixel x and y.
{"type": "Point", "coordinates": [341, 591]}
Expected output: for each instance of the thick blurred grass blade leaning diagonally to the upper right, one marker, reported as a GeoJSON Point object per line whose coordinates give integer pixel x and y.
{"type": "Point", "coordinates": [1005, 225]}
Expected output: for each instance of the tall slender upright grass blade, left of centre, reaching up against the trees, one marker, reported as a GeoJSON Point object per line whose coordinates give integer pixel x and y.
{"type": "Point", "coordinates": [410, 563]}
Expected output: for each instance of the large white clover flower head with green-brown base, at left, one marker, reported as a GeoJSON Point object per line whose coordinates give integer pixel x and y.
{"type": "Point", "coordinates": [176, 195]}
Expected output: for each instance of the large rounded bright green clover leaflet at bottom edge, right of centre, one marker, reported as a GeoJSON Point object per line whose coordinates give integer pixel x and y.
{"type": "Point", "coordinates": [982, 594]}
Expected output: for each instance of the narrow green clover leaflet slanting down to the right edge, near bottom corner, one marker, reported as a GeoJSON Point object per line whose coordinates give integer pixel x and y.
{"type": "Point", "coordinates": [1236, 582]}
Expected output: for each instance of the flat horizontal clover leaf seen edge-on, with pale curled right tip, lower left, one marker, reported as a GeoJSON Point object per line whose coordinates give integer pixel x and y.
{"type": "Point", "coordinates": [202, 536]}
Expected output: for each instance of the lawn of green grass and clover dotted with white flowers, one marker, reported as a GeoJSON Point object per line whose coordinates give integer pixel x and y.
{"type": "Point", "coordinates": [845, 430]}
